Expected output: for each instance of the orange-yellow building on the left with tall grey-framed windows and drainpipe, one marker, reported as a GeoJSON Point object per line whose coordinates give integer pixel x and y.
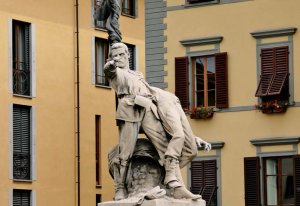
{"type": "Point", "coordinates": [58, 111]}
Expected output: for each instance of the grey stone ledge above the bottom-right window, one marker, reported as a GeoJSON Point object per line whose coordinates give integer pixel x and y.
{"type": "Point", "coordinates": [275, 141]}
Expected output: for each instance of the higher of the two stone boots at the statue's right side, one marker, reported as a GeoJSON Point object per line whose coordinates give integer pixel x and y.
{"type": "Point", "coordinates": [171, 165]}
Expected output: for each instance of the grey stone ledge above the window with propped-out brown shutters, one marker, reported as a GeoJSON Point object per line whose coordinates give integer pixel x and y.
{"type": "Point", "coordinates": [274, 33]}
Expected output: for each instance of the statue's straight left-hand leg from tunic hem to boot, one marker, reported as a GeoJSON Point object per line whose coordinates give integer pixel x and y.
{"type": "Point", "coordinates": [128, 132]}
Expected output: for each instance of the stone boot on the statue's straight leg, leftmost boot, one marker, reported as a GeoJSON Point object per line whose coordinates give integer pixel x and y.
{"type": "Point", "coordinates": [119, 180]}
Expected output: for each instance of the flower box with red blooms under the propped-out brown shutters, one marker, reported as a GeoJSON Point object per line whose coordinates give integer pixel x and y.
{"type": "Point", "coordinates": [273, 106]}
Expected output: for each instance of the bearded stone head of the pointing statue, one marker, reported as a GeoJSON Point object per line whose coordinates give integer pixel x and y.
{"type": "Point", "coordinates": [120, 54]}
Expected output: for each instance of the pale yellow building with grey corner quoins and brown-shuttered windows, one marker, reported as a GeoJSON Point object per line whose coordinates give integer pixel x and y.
{"type": "Point", "coordinates": [234, 65]}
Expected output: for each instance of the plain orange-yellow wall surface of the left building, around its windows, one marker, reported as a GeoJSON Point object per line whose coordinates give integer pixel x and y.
{"type": "Point", "coordinates": [55, 100]}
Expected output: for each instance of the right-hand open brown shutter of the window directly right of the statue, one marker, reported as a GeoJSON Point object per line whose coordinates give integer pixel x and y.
{"type": "Point", "coordinates": [221, 80]}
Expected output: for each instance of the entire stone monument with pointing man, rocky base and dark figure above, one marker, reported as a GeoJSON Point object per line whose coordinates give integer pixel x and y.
{"type": "Point", "coordinates": [146, 171]}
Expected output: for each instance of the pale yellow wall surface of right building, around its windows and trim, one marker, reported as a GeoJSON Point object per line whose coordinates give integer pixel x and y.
{"type": "Point", "coordinates": [235, 22]}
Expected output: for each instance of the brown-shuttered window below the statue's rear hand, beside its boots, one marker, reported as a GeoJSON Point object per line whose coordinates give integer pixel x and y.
{"type": "Point", "coordinates": [204, 180]}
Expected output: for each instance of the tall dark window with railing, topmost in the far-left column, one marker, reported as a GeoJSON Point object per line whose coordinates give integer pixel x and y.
{"type": "Point", "coordinates": [21, 58]}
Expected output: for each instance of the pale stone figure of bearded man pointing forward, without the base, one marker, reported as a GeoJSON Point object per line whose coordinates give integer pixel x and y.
{"type": "Point", "coordinates": [162, 119]}
